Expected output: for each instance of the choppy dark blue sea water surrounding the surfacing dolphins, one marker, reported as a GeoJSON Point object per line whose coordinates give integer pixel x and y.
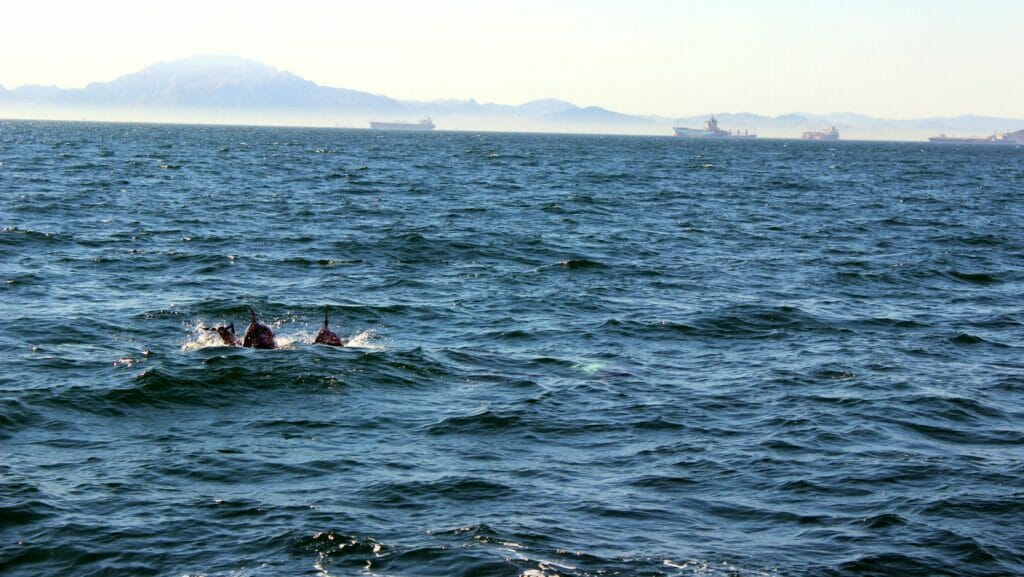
{"type": "Point", "coordinates": [575, 356]}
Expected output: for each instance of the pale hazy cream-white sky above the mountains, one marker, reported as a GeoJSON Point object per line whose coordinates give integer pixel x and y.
{"type": "Point", "coordinates": [889, 59]}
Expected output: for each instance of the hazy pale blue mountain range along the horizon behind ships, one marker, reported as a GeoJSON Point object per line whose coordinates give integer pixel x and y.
{"type": "Point", "coordinates": [229, 90]}
